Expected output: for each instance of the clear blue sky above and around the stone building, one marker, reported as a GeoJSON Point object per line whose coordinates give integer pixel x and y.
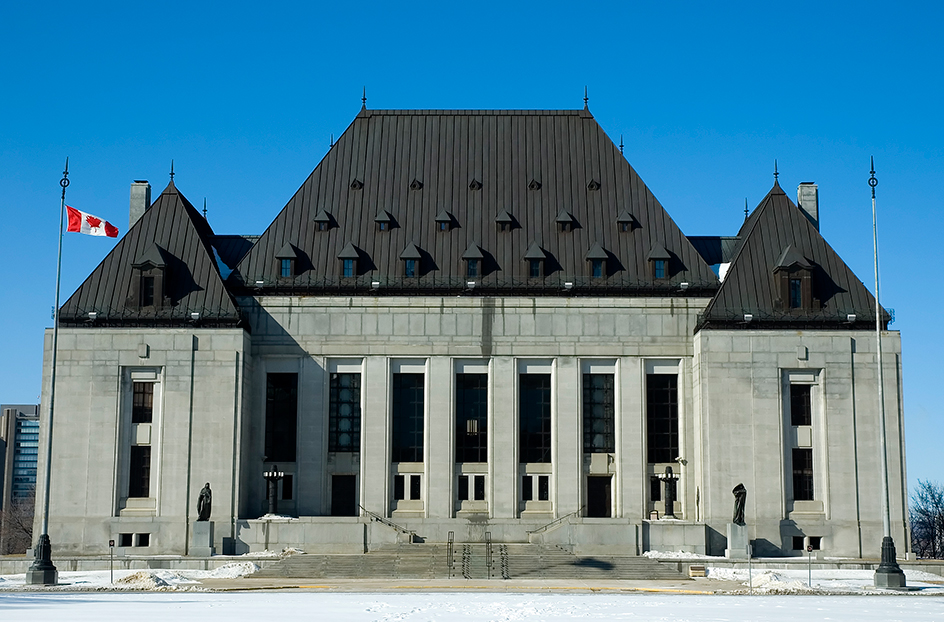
{"type": "Point", "coordinates": [245, 96]}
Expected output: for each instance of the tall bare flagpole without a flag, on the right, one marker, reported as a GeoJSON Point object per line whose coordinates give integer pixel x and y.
{"type": "Point", "coordinates": [889, 573]}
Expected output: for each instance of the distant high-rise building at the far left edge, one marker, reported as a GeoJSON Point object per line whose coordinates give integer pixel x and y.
{"type": "Point", "coordinates": [19, 444]}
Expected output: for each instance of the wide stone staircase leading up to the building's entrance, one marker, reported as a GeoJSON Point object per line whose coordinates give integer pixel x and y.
{"type": "Point", "coordinates": [469, 561]}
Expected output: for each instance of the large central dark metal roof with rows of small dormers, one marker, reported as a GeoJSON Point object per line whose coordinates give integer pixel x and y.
{"type": "Point", "coordinates": [444, 152]}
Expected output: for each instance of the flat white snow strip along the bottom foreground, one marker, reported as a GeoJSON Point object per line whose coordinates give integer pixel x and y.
{"type": "Point", "coordinates": [461, 607]}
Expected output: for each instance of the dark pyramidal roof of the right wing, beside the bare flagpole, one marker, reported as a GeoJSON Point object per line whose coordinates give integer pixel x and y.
{"type": "Point", "coordinates": [778, 234]}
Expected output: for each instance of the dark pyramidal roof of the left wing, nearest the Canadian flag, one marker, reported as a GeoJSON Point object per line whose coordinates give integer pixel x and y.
{"type": "Point", "coordinates": [181, 237]}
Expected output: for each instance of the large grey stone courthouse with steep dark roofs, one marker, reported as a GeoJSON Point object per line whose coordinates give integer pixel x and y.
{"type": "Point", "coordinates": [470, 323]}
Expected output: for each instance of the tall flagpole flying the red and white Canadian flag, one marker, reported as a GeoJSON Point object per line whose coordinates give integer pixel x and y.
{"type": "Point", "coordinates": [42, 571]}
